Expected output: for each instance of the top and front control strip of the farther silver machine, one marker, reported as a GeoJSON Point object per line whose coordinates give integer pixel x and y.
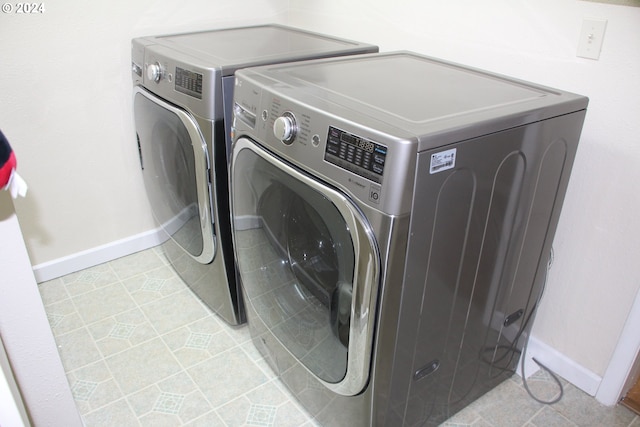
{"type": "Point", "coordinates": [193, 64]}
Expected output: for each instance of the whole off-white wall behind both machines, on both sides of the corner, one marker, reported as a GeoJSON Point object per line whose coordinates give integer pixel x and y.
{"type": "Point", "coordinates": [66, 108]}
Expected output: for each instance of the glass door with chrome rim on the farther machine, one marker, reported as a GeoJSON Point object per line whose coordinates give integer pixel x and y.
{"type": "Point", "coordinates": [175, 168]}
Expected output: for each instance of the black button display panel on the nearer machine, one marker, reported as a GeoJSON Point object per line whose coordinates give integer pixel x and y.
{"type": "Point", "coordinates": [356, 154]}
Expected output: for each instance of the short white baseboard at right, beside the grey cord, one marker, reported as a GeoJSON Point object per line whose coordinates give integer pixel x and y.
{"type": "Point", "coordinates": [560, 364]}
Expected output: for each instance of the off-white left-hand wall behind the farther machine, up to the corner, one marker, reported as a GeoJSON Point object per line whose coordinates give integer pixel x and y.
{"type": "Point", "coordinates": [66, 109]}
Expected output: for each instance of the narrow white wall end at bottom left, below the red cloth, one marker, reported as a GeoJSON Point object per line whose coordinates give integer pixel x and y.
{"type": "Point", "coordinates": [26, 336]}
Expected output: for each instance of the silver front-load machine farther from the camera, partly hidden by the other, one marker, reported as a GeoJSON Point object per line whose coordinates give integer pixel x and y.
{"type": "Point", "coordinates": [183, 88]}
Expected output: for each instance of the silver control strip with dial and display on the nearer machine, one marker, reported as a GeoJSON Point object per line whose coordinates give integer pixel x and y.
{"type": "Point", "coordinates": [388, 190]}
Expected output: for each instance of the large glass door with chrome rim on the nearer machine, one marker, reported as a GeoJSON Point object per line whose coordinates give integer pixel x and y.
{"type": "Point", "coordinates": [309, 265]}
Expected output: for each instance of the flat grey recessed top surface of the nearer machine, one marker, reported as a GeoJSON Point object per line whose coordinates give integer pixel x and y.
{"type": "Point", "coordinates": [414, 88]}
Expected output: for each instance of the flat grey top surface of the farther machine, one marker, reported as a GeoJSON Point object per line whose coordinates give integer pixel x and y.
{"type": "Point", "coordinates": [233, 48]}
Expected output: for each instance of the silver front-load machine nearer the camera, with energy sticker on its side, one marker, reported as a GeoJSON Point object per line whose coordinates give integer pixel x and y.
{"type": "Point", "coordinates": [393, 218]}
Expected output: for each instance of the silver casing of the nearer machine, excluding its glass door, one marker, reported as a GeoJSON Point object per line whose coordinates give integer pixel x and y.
{"type": "Point", "coordinates": [470, 197]}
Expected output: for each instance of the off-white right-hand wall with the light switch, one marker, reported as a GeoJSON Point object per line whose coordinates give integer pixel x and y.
{"type": "Point", "coordinates": [595, 275]}
